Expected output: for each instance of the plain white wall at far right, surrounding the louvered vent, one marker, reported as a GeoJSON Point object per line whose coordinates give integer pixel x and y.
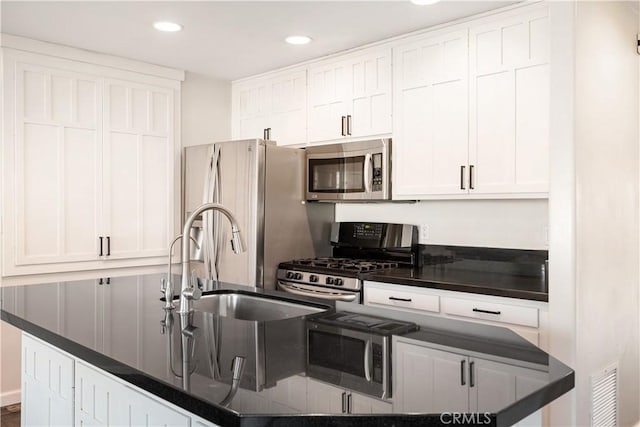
{"type": "Point", "coordinates": [607, 189]}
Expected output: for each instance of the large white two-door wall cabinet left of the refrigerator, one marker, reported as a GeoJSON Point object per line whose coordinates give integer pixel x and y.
{"type": "Point", "coordinates": [88, 165]}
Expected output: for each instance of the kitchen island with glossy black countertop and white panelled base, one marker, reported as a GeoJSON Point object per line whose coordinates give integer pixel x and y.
{"type": "Point", "coordinates": [119, 346]}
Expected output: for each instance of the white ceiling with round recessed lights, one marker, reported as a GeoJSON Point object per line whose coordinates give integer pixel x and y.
{"type": "Point", "coordinates": [225, 39]}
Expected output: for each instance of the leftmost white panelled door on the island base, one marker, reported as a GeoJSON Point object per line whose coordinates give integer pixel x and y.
{"type": "Point", "coordinates": [47, 385]}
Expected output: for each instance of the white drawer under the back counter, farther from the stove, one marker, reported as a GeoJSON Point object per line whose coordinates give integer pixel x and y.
{"type": "Point", "coordinates": [504, 313]}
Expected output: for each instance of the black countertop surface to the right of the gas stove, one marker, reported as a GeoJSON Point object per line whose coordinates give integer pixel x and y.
{"type": "Point", "coordinates": [449, 278]}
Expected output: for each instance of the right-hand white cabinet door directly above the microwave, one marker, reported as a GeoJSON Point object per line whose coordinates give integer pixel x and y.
{"type": "Point", "coordinates": [369, 105]}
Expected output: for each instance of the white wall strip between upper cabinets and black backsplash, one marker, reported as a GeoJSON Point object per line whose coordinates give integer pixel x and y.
{"type": "Point", "coordinates": [518, 224]}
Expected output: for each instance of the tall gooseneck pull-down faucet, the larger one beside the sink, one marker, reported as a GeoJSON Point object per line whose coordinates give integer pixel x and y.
{"type": "Point", "coordinates": [189, 292]}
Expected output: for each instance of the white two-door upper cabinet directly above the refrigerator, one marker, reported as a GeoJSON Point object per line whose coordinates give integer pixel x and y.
{"type": "Point", "coordinates": [273, 108]}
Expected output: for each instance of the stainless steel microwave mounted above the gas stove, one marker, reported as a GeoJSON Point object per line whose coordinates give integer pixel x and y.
{"type": "Point", "coordinates": [358, 171]}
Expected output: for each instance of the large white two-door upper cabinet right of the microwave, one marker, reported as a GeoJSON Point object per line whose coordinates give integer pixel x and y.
{"type": "Point", "coordinates": [471, 109]}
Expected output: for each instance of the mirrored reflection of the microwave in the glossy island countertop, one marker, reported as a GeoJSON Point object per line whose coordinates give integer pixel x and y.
{"type": "Point", "coordinates": [352, 359]}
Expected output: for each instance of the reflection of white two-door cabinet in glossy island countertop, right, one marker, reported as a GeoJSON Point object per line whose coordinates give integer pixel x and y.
{"type": "Point", "coordinates": [430, 380]}
